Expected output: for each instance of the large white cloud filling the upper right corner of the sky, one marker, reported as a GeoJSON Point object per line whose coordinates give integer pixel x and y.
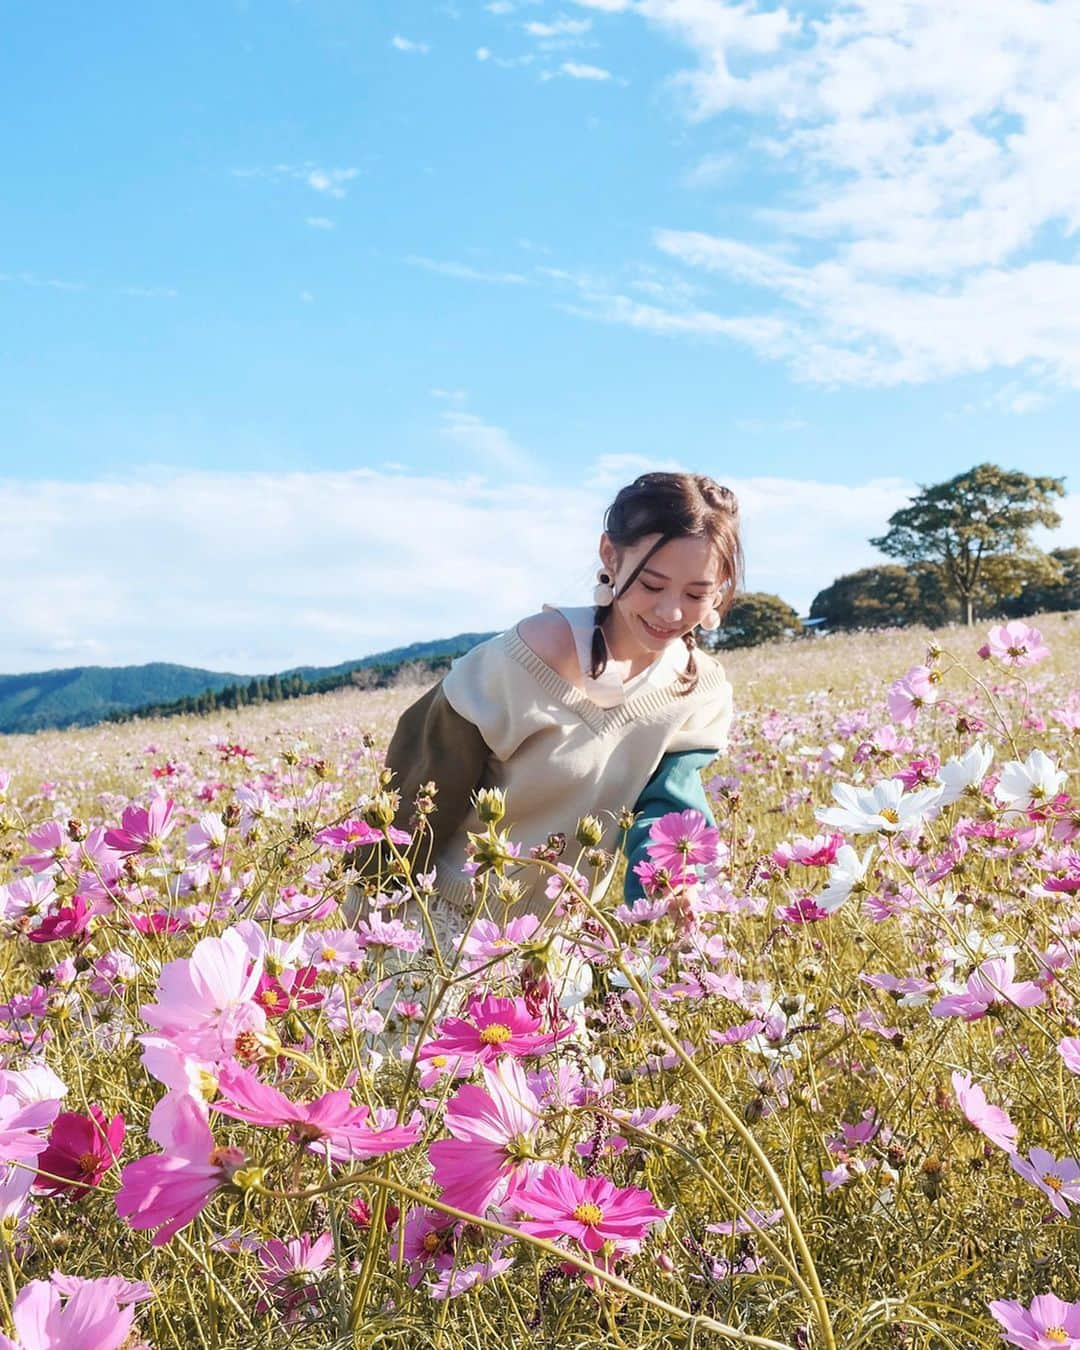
{"type": "Point", "coordinates": [931, 155]}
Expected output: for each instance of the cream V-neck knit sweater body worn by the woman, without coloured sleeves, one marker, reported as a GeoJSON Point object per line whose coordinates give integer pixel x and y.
{"type": "Point", "coordinates": [558, 755]}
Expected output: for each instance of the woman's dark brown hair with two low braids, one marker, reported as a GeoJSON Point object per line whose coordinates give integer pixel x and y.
{"type": "Point", "coordinates": [673, 507]}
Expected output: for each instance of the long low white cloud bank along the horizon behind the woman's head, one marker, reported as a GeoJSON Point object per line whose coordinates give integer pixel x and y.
{"type": "Point", "coordinates": [319, 568]}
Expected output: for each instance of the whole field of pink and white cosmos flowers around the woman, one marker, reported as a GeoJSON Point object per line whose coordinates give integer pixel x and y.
{"type": "Point", "coordinates": [819, 1089]}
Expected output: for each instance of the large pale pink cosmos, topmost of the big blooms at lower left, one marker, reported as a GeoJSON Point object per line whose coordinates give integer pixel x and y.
{"type": "Point", "coordinates": [207, 1001]}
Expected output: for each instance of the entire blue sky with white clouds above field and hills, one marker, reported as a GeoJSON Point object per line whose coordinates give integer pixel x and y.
{"type": "Point", "coordinates": [503, 256]}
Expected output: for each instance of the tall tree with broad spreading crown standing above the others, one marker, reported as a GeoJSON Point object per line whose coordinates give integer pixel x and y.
{"type": "Point", "coordinates": [983, 514]}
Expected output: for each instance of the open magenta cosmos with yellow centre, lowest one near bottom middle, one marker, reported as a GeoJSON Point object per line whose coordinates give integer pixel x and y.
{"type": "Point", "coordinates": [589, 1210]}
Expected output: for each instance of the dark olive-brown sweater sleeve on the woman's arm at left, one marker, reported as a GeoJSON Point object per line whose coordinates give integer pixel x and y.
{"type": "Point", "coordinates": [435, 743]}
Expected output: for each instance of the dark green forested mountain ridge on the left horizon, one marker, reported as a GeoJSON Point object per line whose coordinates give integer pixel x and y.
{"type": "Point", "coordinates": [87, 695]}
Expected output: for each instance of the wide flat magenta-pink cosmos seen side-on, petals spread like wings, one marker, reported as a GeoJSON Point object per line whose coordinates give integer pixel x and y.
{"type": "Point", "coordinates": [330, 1118]}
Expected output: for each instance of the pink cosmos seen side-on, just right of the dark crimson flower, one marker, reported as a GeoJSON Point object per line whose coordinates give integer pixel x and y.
{"type": "Point", "coordinates": [167, 1191]}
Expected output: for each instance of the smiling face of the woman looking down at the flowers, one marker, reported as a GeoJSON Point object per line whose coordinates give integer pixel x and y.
{"type": "Point", "coordinates": [672, 595]}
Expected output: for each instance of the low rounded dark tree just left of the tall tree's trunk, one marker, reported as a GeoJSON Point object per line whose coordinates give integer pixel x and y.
{"type": "Point", "coordinates": [886, 597]}
